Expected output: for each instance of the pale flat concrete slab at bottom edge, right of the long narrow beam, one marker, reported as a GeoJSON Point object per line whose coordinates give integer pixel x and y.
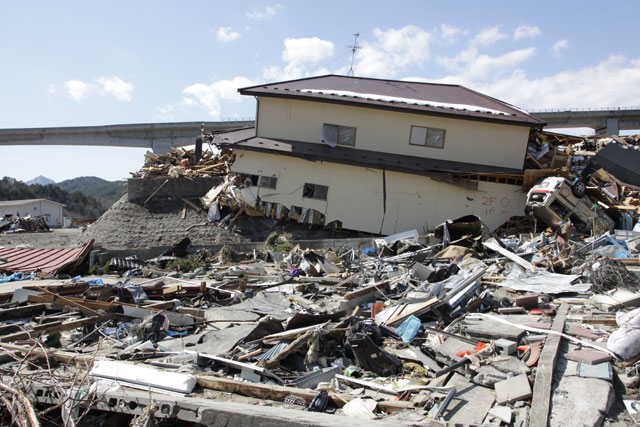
{"type": "Point", "coordinates": [580, 402]}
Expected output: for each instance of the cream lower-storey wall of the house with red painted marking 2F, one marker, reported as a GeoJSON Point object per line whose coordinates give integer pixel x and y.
{"type": "Point", "coordinates": [356, 194]}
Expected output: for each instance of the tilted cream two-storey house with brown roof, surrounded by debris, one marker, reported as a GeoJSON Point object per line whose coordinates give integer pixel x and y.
{"type": "Point", "coordinates": [383, 156]}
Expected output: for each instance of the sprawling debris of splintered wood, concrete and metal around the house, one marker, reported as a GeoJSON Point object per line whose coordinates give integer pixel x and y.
{"type": "Point", "coordinates": [461, 326]}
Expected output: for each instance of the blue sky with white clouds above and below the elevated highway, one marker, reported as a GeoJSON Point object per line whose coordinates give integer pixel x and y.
{"type": "Point", "coordinates": [79, 63]}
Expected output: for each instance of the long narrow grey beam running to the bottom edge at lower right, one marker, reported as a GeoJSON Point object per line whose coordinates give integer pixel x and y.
{"type": "Point", "coordinates": [541, 401]}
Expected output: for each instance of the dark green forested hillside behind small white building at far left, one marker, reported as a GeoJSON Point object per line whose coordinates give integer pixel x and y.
{"type": "Point", "coordinates": [78, 205]}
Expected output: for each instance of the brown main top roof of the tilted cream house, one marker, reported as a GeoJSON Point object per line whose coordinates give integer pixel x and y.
{"type": "Point", "coordinates": [421, 98]}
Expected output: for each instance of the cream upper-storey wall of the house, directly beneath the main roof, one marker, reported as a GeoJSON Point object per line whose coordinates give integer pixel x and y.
{"type": "Point", "coordinates": [389, 132]}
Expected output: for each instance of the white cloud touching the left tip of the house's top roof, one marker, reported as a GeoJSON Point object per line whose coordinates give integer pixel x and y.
{"type": "Point", "coordinates": [209, 96]}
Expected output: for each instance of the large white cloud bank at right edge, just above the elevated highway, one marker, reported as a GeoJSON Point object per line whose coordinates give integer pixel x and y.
{"type": "Point", "coordinates": [612, 82]}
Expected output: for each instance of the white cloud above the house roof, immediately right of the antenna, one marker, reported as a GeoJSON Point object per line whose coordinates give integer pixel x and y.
{"type": "Point", "coordinates": [392, 51]}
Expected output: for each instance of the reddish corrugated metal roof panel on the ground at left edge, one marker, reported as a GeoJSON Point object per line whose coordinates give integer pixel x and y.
{"type": "Point", "coordinates": [45, 260]}
